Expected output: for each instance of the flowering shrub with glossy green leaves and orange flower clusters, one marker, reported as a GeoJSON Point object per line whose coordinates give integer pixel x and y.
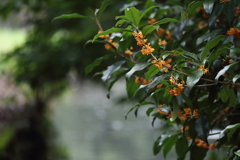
{"type": "Point", "coordinates": [181, 58]}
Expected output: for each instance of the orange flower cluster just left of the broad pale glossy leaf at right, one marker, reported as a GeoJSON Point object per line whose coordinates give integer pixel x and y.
{"type": "Point", "coordinates": [178, 87]}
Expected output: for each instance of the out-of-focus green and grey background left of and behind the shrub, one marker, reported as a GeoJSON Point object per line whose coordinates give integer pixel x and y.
{"type": "Point", "coordinates": [49, 109]}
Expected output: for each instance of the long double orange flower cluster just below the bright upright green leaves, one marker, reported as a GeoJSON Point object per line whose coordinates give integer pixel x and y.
{"type": "Point", "coordinates": [146, 48]}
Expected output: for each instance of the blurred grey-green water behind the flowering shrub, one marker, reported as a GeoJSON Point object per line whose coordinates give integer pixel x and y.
{"type": "Point", "coordinates": [93, 127]}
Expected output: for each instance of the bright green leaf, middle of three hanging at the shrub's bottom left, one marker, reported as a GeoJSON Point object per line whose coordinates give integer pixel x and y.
{"type": "Point", "coordinates": [169, 143]}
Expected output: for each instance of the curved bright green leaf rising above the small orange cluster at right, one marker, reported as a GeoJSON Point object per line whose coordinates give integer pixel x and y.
{"type": "Point", "coordinates": [212, 43]}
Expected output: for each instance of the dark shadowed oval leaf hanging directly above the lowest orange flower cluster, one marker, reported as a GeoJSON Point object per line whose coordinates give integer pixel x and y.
{"type": "Point", "coordinates": [202, 127]}
